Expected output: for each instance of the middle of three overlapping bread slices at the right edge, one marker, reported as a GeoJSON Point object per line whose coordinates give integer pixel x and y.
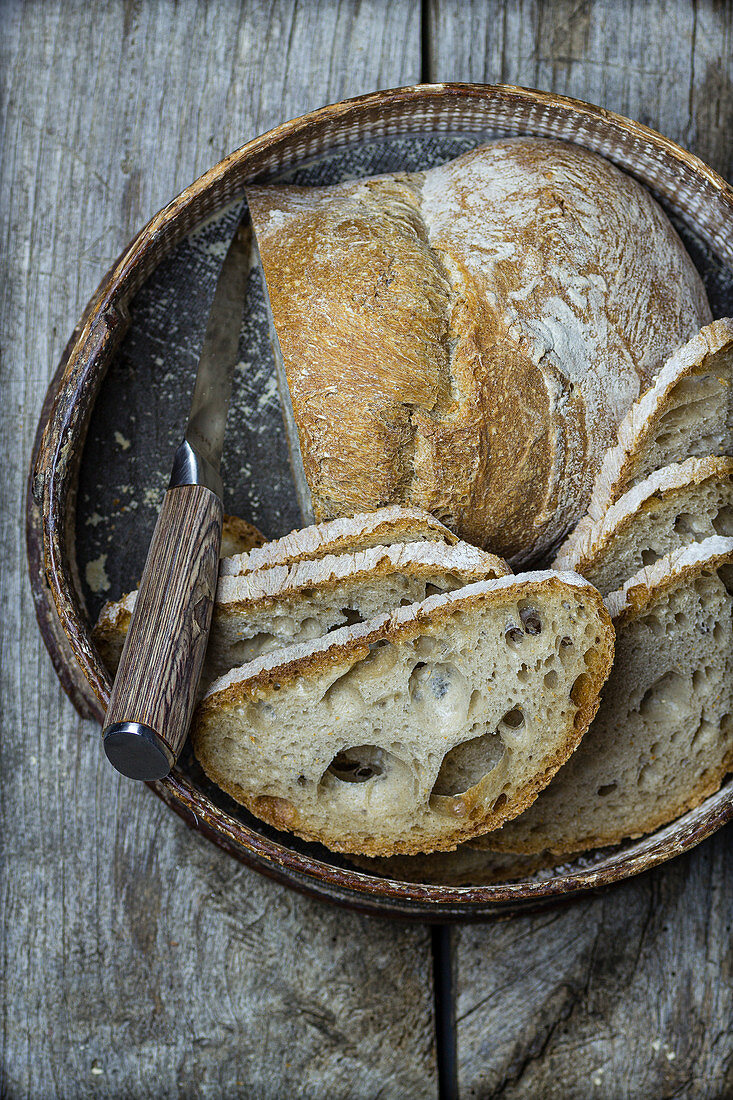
{"type": "Point", "coordinates": [682, 504]}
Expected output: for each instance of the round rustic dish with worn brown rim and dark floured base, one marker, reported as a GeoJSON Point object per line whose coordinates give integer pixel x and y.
{"type": "Point", "coordinates": [126, 377]}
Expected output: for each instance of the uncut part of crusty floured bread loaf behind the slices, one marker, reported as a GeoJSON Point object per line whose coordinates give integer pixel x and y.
{"type": "Point", "coordinates": [469, 338]}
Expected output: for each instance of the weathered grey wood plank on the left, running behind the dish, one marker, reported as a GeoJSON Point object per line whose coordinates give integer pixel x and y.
{"type": "Point", "coordinates": [138, 960]}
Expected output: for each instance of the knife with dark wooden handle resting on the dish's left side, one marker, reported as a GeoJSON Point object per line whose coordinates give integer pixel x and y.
{"type": "Point", "coordinates": [155, 692]}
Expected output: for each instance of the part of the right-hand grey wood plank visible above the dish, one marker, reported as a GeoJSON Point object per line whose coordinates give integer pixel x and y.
{"type": "Point", "coordinates": [665, 63]}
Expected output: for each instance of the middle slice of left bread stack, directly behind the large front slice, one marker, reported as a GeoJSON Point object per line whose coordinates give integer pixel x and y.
{"type": "Point", "coordinates": [271, 608]}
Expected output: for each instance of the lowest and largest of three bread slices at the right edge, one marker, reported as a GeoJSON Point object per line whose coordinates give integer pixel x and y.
{"type": "Point", "coordinates": [663, 740]}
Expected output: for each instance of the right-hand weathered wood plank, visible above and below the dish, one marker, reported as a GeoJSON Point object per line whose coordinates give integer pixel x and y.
{"type": "Point", "coordinates": [628, 995]}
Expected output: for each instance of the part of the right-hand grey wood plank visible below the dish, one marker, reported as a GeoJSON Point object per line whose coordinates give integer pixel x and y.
{"type": "Point", "coordinates": [628, 995]}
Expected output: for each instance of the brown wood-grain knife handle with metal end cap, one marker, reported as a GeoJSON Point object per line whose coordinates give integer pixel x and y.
{"type": "Point", "coordinates": [155, 692]}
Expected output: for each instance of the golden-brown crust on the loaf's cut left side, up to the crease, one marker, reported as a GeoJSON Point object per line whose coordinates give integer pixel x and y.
{"type": "Point", "coordinates": [343, 278]}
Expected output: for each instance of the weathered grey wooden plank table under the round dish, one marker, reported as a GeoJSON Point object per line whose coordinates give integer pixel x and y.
{"type": "Point", "coordinates": [138, 960]}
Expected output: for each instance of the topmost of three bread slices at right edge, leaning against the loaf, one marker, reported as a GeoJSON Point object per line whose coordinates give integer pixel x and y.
{"type": "Point", "coordinates": [688, 413]}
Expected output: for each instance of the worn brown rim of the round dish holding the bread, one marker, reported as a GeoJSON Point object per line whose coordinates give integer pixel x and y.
{"type": "Point", "coordinates": [60, 611]}
